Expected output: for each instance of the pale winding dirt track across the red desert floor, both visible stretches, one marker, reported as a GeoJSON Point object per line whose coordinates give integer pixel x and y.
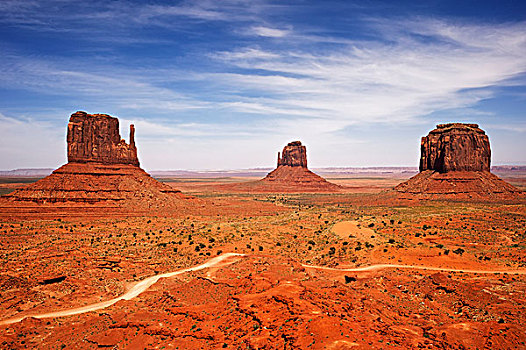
{"type": "Point", "coordinates": [143, 285]}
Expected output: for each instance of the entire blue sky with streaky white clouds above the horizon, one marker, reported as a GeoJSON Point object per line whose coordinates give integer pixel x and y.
{"type": "Point", "coordinates": [226, 84]}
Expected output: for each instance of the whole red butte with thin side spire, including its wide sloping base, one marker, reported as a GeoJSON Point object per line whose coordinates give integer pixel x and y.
{"type": "Point", "coordinates": [101, 168]}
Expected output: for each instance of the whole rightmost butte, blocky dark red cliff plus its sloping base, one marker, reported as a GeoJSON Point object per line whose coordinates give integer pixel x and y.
{"type": "Point", "coordinates": [455, 161]}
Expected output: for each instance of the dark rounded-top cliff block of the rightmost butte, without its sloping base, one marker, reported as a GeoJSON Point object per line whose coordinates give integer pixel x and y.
{"type": "Point", "coordinates": [455, 147]}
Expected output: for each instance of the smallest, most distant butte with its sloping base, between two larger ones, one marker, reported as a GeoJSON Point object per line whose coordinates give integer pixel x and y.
{"type": "Point", "coordinates": [292, 174]}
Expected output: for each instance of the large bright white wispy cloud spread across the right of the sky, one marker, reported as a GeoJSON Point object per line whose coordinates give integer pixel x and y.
{"type": "Point", "coordinates": [401, 78]}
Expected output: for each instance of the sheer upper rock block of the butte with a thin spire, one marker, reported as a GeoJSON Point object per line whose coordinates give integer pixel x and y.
{"type": "Point", "coordinates": [96, 138]}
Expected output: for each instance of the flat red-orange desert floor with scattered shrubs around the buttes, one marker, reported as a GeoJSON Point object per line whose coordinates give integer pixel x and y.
{"type": "Point", "coordinates": [349, 270]}
